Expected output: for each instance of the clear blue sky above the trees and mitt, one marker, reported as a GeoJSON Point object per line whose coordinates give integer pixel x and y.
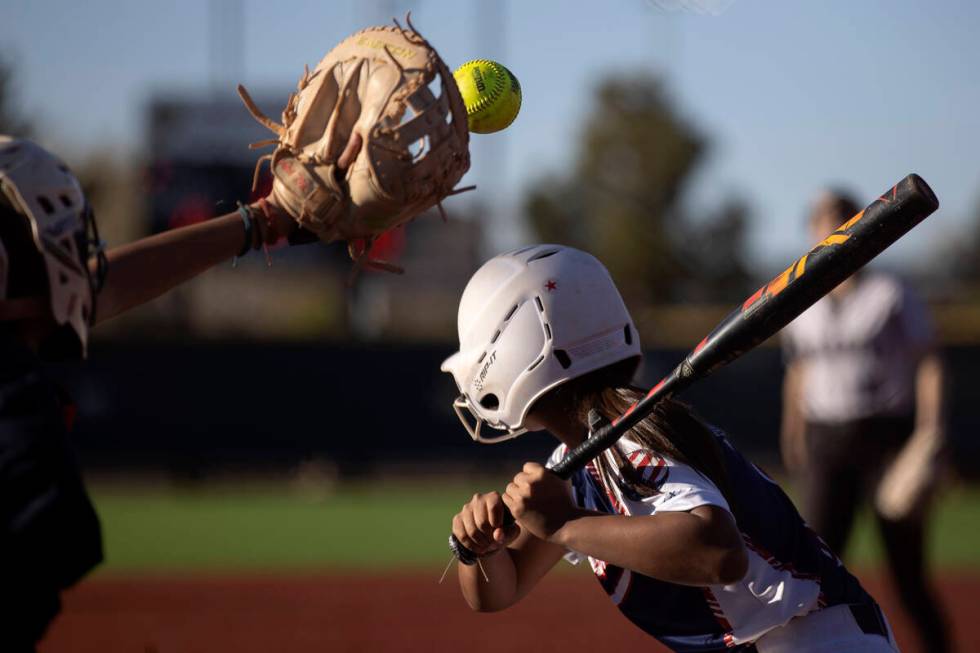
{"type": "Point", "coordinates": [792, 95]}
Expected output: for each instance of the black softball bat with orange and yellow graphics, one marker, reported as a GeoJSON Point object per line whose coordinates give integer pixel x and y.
{"type": "Point", "coordinates": [768, 310]}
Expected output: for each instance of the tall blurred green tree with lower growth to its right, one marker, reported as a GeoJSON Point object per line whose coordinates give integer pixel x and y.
{"type": "Point", "coordinates": [621, 200]}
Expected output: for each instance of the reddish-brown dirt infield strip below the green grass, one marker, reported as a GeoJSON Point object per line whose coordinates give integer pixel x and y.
{"type": "Point", "coordinates": [353, 613]}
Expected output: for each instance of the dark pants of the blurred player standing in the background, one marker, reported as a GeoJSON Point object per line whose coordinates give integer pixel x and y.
{"type": "Point", "coordinates": [845, 463]}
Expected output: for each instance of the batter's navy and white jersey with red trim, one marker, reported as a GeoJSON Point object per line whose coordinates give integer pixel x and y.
{"type": "Point", "coordinates": [790, 572]}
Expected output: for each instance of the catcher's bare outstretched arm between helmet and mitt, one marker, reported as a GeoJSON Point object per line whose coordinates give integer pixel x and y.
{"type": "Point", "coordinates": [147, 268]}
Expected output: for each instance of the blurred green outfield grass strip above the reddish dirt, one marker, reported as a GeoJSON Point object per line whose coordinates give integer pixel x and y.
{"type": "Point", "coordinates": [270, 527]}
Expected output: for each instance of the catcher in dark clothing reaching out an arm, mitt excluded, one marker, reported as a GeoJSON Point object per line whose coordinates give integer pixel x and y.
{"type": "Point", "coordinates": [56, 282]}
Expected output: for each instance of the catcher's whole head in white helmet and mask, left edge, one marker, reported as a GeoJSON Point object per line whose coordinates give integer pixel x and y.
{"type": "Point", "coordinates": [45, 216]}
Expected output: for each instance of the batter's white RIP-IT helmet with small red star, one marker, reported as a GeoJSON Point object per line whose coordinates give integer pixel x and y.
{"type": "Point", "coordinates": [530, 320]}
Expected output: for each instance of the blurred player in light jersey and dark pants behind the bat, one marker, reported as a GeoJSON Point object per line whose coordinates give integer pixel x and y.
{"type": "Point", "coordinates": [863, 417]}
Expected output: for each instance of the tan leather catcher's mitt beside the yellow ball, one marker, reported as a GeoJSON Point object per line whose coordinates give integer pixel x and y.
{"type": "Point", "coordinates": [368, 100]}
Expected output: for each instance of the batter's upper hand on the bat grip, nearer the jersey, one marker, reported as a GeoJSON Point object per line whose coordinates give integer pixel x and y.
{"type": "Point", "coordinates": [539, 500]}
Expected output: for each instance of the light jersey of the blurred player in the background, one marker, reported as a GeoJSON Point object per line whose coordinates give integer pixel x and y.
{"type": "Point", "coordinates": [860, 351]}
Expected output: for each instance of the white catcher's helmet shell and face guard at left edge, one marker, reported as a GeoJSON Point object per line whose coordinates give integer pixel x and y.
{"type": "Point", "coordinates": [42, 190]}
